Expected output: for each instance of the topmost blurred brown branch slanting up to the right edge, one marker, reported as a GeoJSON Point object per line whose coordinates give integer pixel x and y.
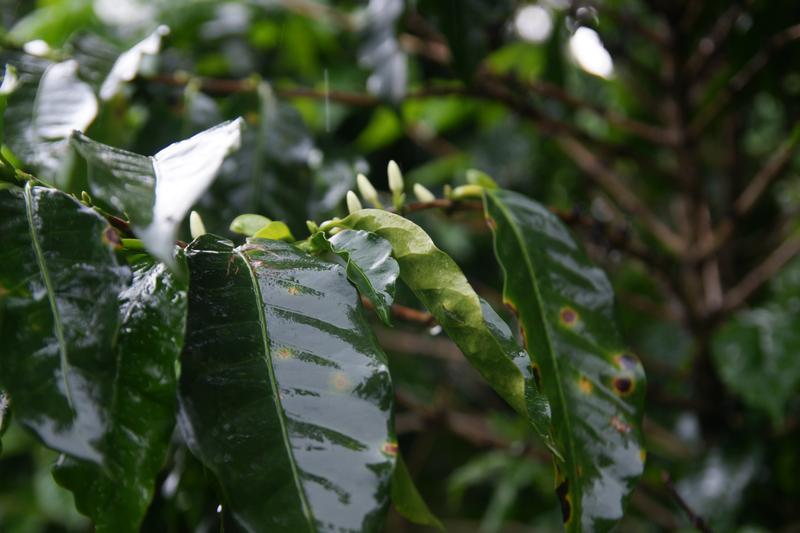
{"type": "Point", "coordinates": [741, 79]}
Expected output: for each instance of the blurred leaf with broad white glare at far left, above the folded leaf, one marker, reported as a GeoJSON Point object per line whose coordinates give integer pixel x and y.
{"type": "Point", "coordinates": [52, 102]}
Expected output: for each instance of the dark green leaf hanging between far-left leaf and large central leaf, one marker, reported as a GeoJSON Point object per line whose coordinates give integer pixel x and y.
{"type": "Point", "coordinates": [141, 412]}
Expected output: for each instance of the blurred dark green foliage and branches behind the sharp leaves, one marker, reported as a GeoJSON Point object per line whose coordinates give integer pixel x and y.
{"type": "Point", "coordinates": [663, 130]}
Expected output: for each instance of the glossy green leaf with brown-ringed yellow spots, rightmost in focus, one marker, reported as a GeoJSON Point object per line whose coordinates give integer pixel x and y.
{"type": "Point", "coordinates": [565, 307]}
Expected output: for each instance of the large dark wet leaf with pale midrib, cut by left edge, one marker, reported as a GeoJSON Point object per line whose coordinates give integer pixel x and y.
{"type": "Point", "coordinates": [59, 282]}
